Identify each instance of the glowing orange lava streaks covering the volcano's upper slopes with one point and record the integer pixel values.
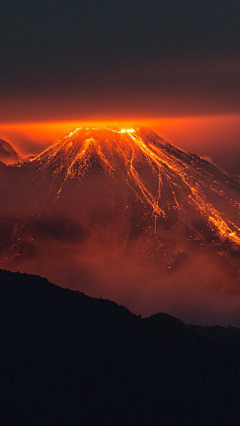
(162, 177)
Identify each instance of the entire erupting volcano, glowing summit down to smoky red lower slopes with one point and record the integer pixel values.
(138, 219)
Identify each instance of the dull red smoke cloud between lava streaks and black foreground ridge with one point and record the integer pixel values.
(107, 255)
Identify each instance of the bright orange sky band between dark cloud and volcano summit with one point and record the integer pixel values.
(215, 137)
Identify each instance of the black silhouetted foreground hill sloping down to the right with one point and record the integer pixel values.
(68, 359)
